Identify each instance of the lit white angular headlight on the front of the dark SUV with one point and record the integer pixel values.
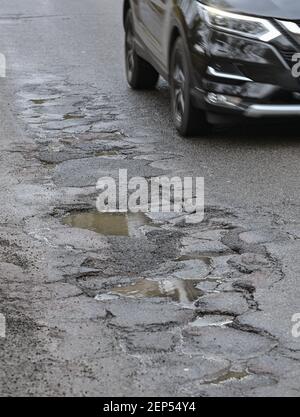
(248, 26)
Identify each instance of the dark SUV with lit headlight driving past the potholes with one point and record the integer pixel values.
(224, 59)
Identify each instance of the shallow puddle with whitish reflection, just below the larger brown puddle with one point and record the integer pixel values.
(183, 291)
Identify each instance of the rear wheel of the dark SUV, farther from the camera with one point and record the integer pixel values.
(140, 74)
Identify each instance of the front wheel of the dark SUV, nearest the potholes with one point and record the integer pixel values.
(189, 120)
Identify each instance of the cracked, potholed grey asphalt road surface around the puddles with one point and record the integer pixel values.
(86, 314)
